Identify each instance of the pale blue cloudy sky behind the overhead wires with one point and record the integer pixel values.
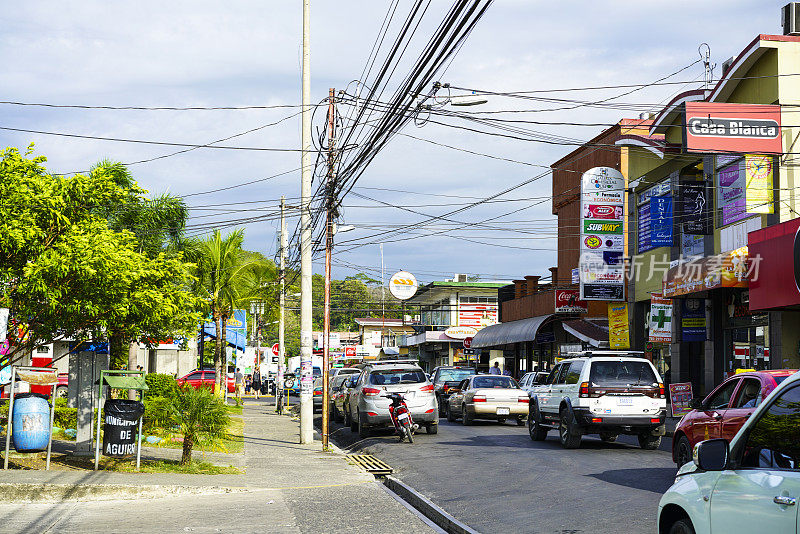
(247, 53)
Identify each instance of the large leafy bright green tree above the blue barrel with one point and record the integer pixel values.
(66, 274)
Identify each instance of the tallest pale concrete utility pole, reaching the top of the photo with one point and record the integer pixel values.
(306, 370)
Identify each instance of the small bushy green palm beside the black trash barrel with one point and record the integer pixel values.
(201, 416)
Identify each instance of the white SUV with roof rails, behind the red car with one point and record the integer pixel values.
(600, 392)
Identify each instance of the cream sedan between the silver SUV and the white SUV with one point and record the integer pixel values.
(487, 397)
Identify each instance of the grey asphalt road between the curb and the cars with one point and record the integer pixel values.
(495, 479)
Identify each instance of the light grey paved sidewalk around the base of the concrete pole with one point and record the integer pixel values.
(287, 487)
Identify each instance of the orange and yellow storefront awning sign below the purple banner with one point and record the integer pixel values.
(730, 269)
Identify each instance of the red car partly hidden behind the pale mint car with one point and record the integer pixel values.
(723, 412)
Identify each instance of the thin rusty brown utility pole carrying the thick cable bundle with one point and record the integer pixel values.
(329, 217)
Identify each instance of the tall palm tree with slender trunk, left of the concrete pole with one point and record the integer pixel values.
(225, 279)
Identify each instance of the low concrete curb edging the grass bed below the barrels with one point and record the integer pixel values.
(14, 493)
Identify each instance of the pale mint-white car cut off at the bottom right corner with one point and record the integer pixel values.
(749, 485)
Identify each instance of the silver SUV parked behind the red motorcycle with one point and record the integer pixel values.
(368, 408)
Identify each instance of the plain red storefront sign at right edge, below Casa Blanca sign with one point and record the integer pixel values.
(775, 283)
